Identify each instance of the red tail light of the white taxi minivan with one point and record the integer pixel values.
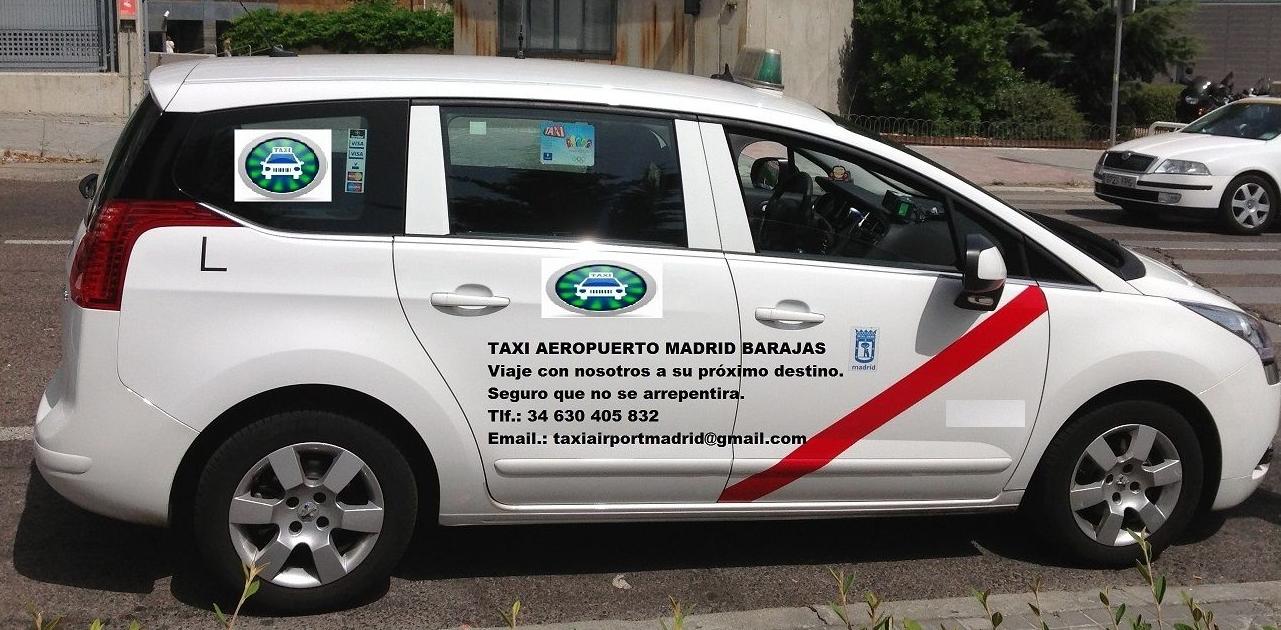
(103, 257)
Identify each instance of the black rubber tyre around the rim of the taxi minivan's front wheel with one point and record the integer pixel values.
(1050, 508)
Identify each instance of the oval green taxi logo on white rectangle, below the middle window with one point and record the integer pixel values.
(600, 289)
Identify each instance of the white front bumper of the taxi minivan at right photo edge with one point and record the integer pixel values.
(1247, 413)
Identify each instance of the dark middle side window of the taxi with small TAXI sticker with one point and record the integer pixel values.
(563, 175)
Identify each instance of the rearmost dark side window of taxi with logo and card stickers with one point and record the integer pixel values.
(358, 166)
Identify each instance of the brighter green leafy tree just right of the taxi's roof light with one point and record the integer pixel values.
(932, 60)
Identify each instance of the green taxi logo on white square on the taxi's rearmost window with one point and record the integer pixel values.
(282, 166)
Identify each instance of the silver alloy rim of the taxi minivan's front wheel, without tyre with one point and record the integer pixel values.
(1127, 480)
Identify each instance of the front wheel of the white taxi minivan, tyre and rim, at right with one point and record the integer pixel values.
(1125, 467)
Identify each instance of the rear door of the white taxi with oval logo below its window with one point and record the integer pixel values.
(564, 275)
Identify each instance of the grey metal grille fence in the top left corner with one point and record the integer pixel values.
(57, 35)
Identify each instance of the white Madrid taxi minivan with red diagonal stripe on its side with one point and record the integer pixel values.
(504, 291)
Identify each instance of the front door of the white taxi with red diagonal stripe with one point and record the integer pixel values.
(853, 340)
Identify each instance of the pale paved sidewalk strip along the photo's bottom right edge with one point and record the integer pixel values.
(1236, 606)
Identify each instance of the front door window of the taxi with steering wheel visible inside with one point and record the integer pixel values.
(805, 200)
